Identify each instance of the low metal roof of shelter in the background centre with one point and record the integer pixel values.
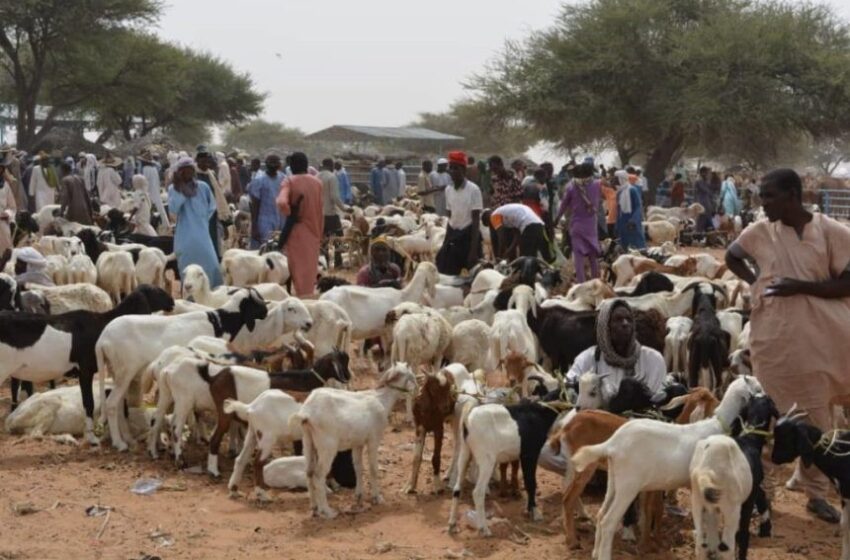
(386, 134)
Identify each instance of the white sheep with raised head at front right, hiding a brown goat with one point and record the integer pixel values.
(671, 447)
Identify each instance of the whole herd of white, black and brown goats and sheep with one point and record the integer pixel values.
(273, 372)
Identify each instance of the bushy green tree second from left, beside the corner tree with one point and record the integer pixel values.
(148, 86)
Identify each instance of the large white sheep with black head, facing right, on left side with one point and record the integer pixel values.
(126, 345)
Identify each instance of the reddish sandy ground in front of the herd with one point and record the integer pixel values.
(193, 517)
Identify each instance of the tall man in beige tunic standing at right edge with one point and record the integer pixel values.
(801, 311)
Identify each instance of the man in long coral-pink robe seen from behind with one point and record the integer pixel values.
(300, 199)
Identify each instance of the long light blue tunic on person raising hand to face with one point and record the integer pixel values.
(192, 242)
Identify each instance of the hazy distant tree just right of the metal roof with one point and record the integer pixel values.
(483, 132)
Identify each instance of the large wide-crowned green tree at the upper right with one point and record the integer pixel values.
(659, 76)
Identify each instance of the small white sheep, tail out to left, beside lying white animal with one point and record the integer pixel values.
(268, 426)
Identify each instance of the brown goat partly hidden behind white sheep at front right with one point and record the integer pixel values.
(592, 427)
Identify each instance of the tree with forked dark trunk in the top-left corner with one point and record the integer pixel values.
(36, 39)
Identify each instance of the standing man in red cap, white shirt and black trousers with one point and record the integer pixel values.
(462, 246)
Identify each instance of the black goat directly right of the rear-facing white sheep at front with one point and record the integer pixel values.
(758, 414)
